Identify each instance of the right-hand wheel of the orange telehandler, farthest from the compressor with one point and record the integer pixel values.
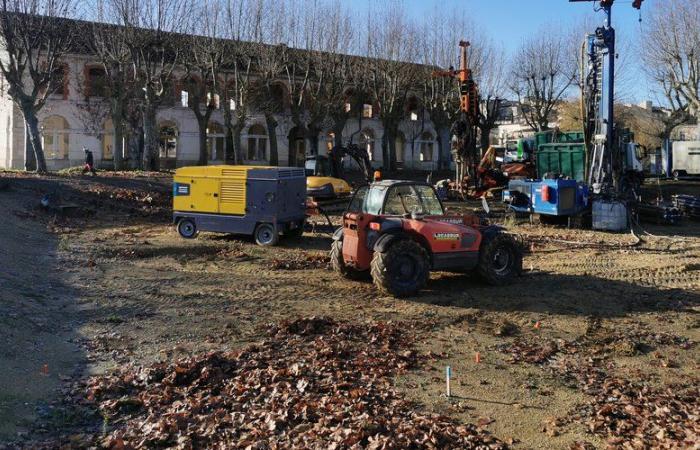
(500, 259)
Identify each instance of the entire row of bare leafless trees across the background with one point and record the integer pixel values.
(315, 60)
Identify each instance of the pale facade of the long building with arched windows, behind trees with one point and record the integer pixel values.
(70, 122)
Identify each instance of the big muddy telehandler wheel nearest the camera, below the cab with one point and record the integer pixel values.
(402, 270)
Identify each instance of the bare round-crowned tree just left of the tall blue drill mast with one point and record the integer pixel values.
(543, 69)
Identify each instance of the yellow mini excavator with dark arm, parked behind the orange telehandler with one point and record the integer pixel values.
(326, 183)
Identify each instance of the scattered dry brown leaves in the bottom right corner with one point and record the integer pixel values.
(629, 414)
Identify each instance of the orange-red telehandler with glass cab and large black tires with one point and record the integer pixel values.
(398, 231)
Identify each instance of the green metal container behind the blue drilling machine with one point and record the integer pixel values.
(568, 160)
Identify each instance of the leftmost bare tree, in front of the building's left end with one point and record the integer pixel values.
(34, 38)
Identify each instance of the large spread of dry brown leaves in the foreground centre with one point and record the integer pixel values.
(313, 384)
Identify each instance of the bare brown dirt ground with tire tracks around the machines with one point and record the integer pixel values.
(108, 281)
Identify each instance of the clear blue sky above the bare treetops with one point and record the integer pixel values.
(508, 22)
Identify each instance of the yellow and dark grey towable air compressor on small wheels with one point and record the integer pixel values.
(261, 201)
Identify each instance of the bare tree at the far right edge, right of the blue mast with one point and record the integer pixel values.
(671, 53)
